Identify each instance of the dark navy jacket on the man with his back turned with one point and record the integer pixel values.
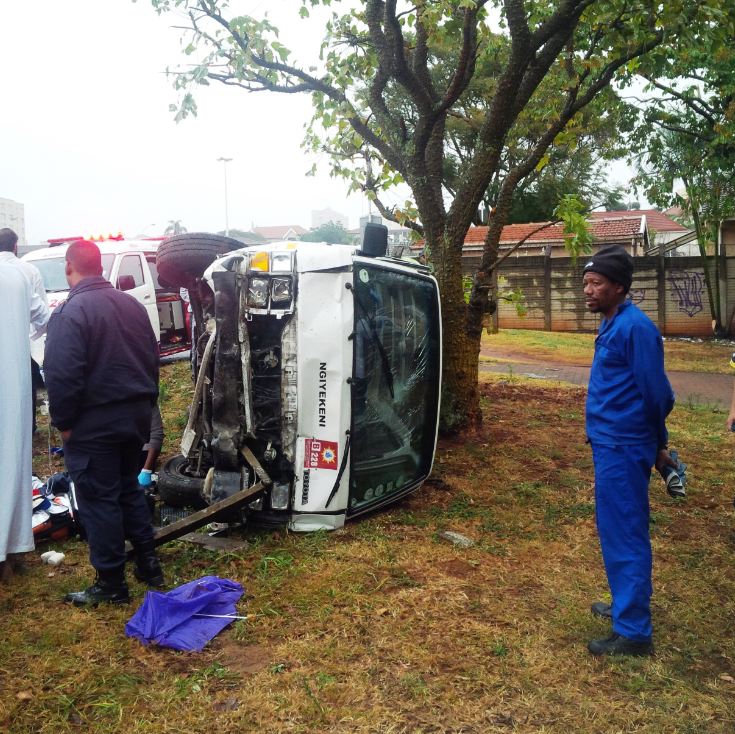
(100, 350)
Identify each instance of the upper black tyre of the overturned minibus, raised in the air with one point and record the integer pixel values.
(182, 258)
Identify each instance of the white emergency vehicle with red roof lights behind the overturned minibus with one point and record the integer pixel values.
(131, 266)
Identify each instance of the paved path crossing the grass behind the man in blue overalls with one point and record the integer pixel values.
(690, 387)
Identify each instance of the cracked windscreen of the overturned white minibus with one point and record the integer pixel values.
(395, 394)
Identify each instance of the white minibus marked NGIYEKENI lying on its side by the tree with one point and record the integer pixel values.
(317, 378)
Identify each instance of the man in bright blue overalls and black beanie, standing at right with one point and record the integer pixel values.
(628, 400)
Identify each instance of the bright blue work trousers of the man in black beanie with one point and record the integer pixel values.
(622, 512)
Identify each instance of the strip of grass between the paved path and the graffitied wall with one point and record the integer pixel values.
(567, 348)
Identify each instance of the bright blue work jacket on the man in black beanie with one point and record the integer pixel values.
(629, 394)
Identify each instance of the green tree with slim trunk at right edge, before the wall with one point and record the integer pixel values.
(685, 149)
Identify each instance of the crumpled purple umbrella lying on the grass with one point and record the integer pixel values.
(176, 618)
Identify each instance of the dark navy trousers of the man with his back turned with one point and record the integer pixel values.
(102, 458)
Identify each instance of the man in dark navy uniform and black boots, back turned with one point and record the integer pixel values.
(101, 370)
